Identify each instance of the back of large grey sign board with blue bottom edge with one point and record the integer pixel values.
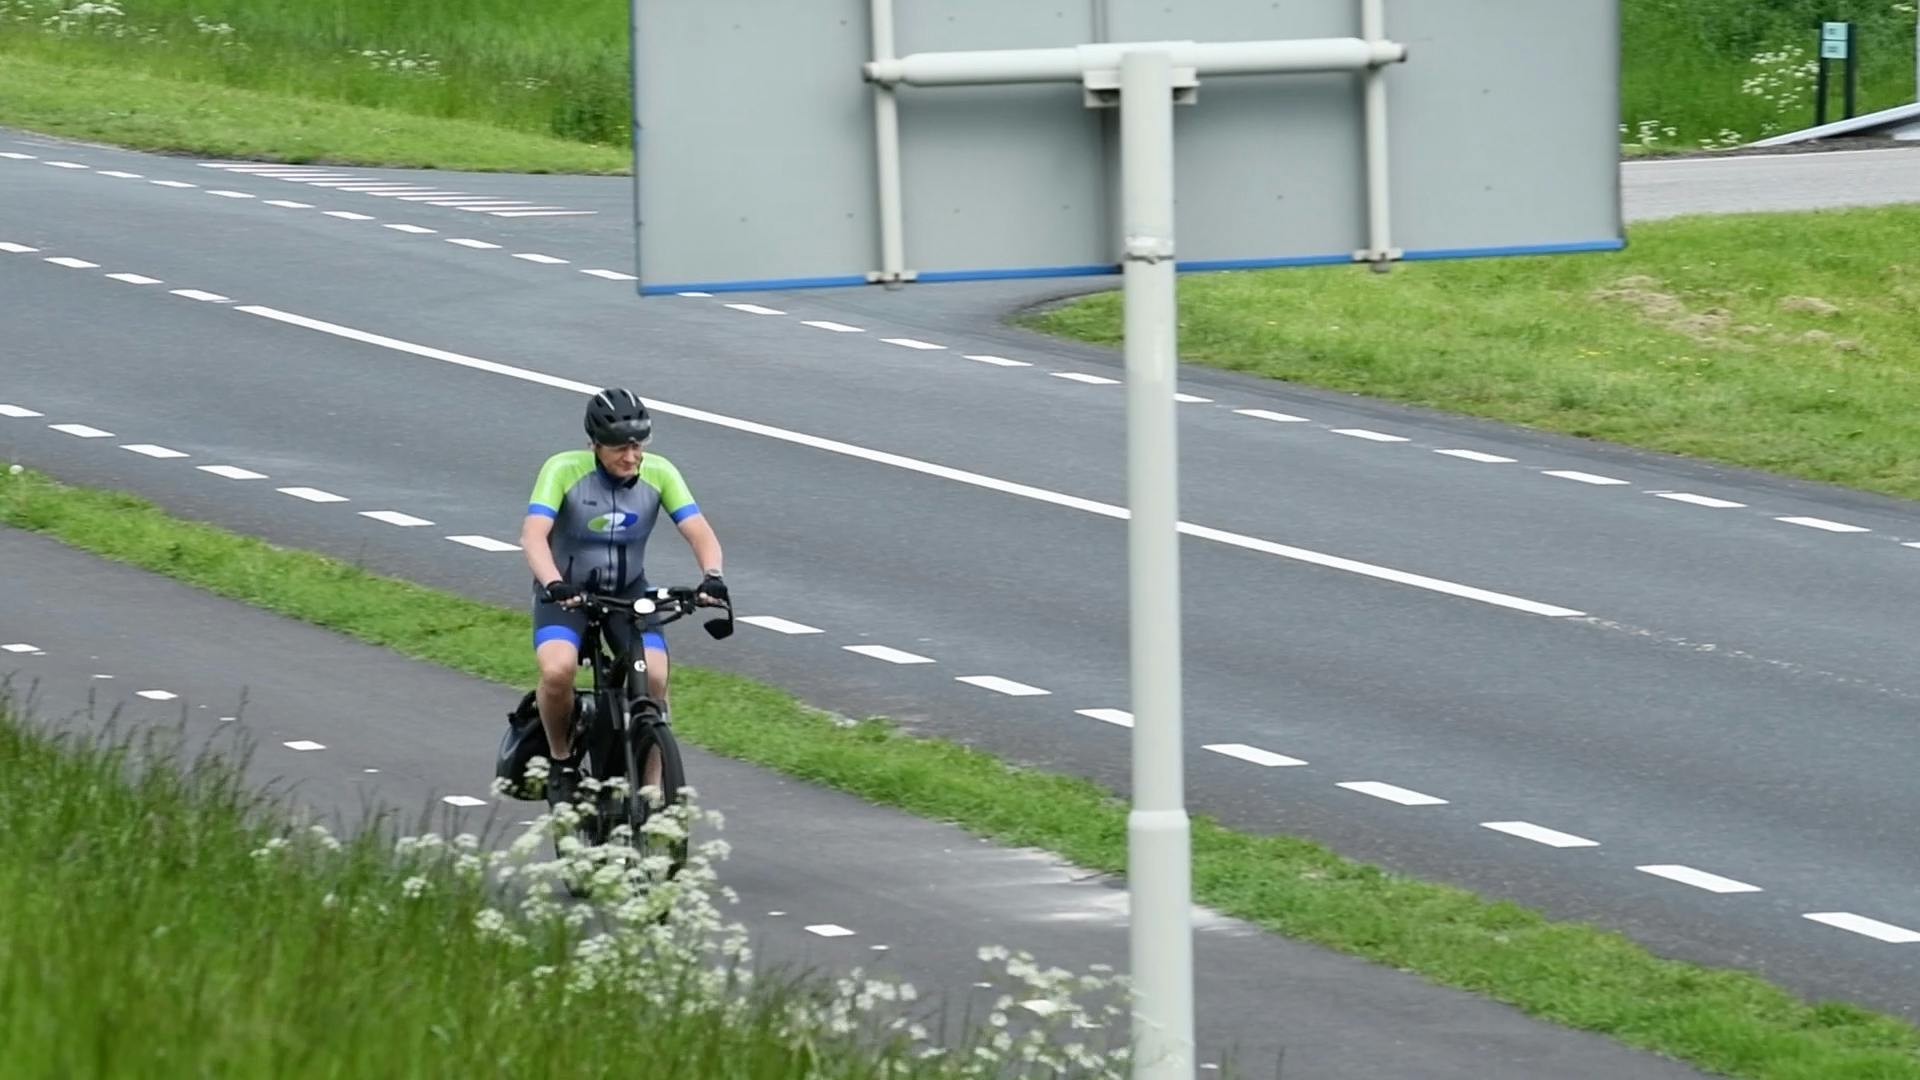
(756, 139)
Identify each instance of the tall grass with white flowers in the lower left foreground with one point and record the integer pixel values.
(164, 921)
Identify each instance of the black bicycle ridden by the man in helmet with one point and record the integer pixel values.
(619, 729)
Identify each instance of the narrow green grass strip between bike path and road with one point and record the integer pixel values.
(1577, 975)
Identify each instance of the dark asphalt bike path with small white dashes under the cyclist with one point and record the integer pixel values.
(350, 725)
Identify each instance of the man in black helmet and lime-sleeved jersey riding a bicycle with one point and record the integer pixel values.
(587, 531)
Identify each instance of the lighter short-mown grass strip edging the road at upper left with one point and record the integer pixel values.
(149, 112)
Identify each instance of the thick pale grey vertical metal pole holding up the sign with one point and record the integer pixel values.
(1161, 927)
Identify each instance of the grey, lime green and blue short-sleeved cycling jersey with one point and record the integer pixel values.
(602, 522)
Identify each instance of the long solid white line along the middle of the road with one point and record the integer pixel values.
(930, 468)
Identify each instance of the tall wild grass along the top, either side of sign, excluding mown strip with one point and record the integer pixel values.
(1696, 72)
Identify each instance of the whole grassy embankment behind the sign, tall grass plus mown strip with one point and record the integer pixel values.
(554, 78)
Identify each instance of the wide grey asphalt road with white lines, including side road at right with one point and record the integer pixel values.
(1620, 687)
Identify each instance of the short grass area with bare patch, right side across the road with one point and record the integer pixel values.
(1779, 341)
